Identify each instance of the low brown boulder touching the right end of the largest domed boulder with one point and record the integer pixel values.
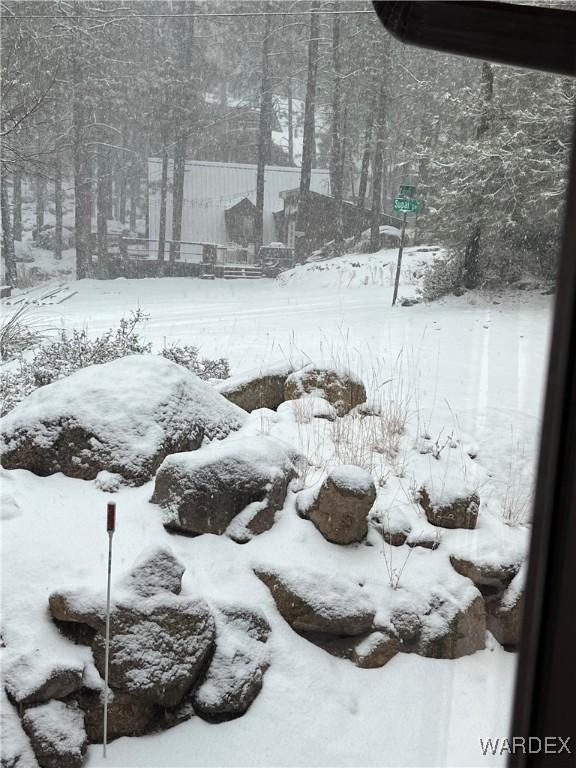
(257, 388)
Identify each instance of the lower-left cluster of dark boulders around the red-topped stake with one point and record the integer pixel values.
(171, 657)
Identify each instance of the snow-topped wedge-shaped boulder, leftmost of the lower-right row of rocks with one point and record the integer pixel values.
(314, 602)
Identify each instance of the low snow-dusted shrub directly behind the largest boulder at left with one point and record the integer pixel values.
(71, 351)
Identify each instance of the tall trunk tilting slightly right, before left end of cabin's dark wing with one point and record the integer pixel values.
(308, 149)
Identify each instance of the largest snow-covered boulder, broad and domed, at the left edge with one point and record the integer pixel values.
(125, 417)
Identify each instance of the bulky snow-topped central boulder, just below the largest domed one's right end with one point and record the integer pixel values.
(203, 491)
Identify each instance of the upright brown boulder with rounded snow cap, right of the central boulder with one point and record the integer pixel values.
(340, 510)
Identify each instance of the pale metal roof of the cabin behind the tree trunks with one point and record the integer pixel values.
(210, 188)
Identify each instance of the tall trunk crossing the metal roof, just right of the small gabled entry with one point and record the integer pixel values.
(264, 135)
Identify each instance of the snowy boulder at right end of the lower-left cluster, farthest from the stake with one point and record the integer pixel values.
(234, 677)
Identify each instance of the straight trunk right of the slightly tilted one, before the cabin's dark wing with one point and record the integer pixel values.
(337, 146)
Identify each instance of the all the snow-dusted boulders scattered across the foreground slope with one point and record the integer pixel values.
(173, 656)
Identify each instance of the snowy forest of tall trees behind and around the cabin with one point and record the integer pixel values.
(92, 89)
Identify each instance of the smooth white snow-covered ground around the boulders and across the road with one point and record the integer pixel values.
(471, 367)
